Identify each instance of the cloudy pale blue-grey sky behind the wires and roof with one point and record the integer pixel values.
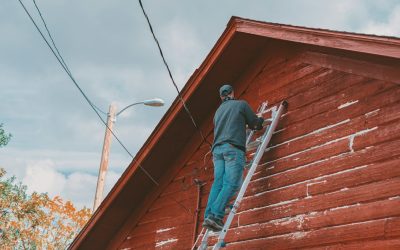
(57, 137)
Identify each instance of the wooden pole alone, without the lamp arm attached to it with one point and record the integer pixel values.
(104, 157)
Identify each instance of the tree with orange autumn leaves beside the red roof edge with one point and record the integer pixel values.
(35, 221)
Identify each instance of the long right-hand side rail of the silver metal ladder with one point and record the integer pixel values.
(257, 158)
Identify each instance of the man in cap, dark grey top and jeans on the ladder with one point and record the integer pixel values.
(229, 155)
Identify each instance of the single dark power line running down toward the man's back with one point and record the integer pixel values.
(171, 77)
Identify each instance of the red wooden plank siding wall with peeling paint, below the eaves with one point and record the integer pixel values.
(331, 176)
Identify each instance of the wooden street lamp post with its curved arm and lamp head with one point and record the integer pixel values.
(111, 118)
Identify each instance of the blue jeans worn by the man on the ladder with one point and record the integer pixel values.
(229, 162)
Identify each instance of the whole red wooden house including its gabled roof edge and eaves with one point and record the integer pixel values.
(331, 176)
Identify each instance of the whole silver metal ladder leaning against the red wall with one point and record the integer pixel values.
(261, 144)
